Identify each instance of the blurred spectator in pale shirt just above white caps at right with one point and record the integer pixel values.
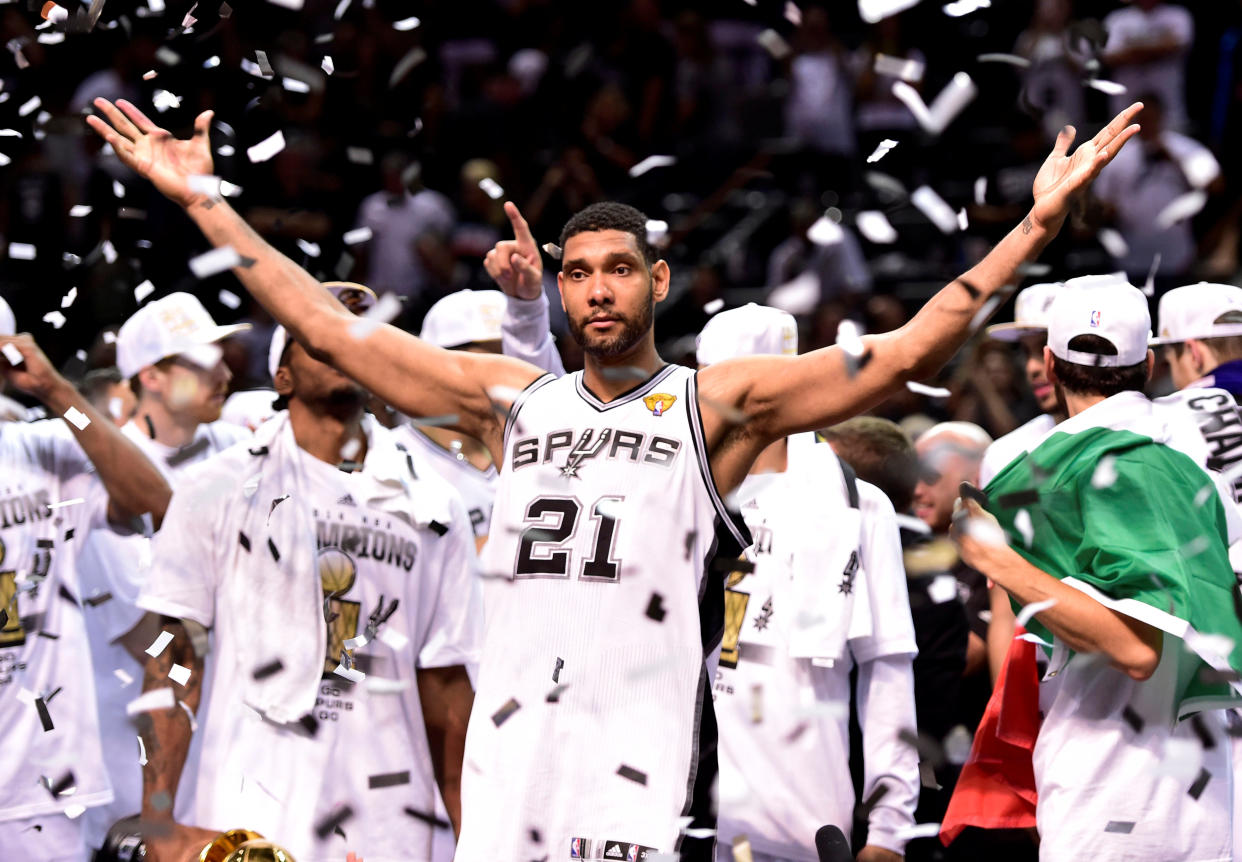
(1158, 168)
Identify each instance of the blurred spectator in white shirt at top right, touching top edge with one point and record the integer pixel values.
(1147, 48)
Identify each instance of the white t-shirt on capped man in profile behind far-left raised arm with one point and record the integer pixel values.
(111, 569)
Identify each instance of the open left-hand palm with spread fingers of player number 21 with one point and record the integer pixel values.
(155, 153)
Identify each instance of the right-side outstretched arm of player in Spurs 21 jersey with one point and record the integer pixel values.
(783, 396)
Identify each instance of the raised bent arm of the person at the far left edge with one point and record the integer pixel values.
(134, 484)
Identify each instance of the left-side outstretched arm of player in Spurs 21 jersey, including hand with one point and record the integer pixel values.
(409, 374)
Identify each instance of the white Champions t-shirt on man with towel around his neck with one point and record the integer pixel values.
(371, 750)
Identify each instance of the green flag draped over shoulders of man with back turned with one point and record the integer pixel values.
(1143, 527)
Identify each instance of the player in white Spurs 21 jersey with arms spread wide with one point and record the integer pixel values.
(593, 732)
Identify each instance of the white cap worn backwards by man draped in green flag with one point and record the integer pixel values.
(1108, 307)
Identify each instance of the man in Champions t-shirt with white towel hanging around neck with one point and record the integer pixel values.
(260, 543)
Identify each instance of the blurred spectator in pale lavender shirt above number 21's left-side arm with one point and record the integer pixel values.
(408, 254)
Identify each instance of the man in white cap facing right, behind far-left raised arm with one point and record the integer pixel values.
(168, 355)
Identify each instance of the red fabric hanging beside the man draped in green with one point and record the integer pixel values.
(997, 787)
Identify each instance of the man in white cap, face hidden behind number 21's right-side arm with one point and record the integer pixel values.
(783, 689)
